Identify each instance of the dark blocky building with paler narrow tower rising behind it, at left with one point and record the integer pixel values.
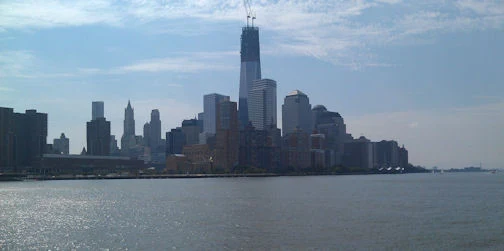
(98, 137)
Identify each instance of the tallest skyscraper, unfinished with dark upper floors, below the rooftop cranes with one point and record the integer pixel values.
(250, 68)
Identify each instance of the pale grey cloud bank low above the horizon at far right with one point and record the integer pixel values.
(446, 138)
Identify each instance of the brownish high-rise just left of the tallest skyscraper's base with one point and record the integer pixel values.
(227, 137)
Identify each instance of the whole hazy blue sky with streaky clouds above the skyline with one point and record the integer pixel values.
(428, 74)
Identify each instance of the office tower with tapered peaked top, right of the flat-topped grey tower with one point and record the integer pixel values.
(296, 113)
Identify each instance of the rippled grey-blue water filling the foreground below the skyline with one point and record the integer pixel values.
(403, 212)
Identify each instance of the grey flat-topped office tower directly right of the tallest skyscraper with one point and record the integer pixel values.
(262, 104)
